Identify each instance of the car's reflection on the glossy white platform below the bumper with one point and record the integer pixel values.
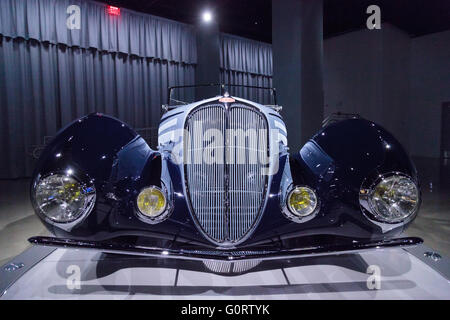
(118, 274)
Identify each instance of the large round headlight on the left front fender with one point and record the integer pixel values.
(62, 198)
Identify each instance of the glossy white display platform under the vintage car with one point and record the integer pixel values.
(49, 273)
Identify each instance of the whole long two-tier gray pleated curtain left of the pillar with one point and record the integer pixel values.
(50, 75)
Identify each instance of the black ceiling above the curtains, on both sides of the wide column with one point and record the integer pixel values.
(252, 18)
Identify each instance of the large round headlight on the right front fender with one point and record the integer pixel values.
(394, 199)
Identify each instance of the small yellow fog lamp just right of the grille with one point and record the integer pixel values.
(302, 201)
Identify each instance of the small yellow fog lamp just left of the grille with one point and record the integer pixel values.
(151, 202)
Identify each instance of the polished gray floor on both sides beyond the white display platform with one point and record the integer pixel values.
(18, 222)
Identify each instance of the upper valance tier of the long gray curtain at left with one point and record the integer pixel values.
(131, 33)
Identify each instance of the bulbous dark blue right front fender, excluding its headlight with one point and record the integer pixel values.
(343, 156)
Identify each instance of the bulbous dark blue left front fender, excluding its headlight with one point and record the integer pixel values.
(105, 152)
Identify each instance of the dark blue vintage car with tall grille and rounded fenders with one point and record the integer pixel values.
(222, 185)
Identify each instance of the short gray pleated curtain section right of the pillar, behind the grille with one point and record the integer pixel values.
(246, 62)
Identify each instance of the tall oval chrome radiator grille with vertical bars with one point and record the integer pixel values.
(224, 179)
